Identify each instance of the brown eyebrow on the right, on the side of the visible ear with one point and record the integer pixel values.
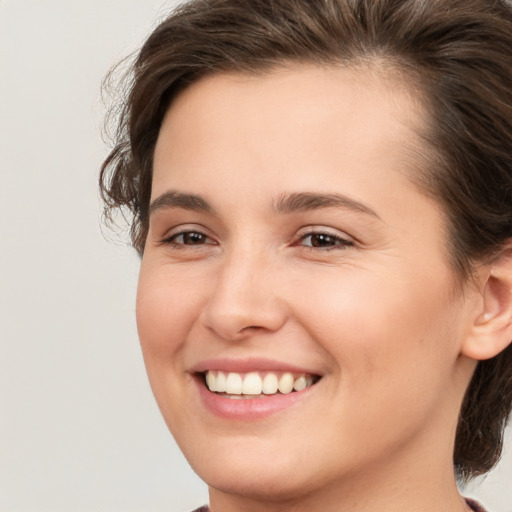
(306, 201)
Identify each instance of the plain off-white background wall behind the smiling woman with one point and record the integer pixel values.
(79, 430)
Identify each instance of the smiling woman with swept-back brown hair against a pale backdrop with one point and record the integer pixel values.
(321, 195)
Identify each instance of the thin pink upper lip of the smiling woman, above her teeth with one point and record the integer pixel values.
(249, 365)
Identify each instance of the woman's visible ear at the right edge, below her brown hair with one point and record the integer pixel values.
(491, 328)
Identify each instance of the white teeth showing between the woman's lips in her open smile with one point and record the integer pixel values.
(256, 384)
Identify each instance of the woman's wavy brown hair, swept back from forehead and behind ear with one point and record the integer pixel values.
(459, 51)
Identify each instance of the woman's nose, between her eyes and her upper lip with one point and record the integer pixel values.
(245, 298)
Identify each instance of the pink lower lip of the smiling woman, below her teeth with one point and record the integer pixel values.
(251, 408)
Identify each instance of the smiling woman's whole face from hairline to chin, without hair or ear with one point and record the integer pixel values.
(288, 243)
